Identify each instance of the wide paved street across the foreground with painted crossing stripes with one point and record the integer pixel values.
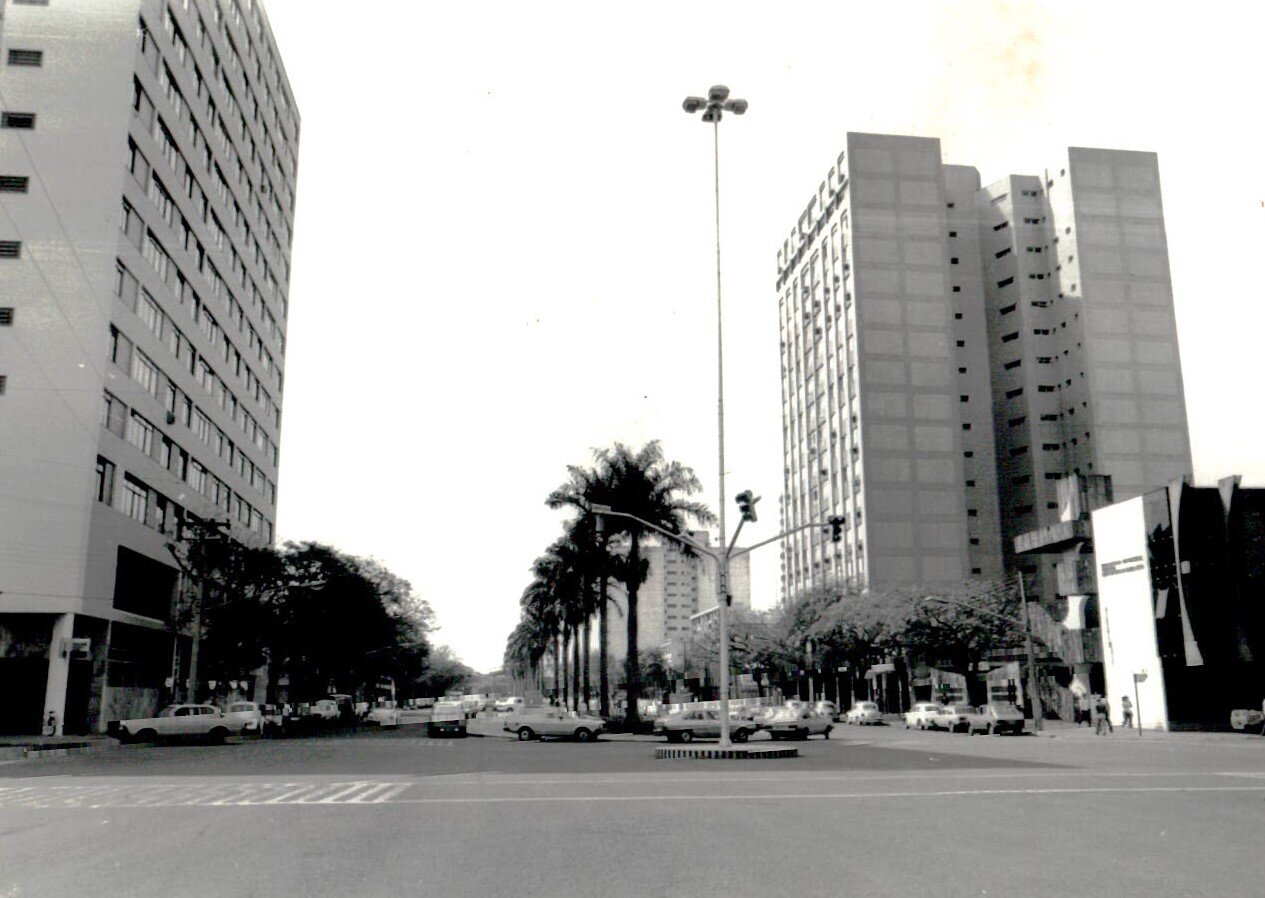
(872, 811)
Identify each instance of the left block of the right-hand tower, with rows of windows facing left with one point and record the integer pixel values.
(885, 388)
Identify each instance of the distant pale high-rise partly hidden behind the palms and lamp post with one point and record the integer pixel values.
(676, 589)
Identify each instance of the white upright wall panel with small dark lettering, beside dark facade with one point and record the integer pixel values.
(1128, 614)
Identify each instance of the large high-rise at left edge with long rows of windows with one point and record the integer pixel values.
(147, 165)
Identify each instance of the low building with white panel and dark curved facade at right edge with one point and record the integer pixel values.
(1181, 584)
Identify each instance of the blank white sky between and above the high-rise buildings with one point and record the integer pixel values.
(504, 243)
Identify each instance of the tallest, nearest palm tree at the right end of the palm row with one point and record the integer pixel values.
(646, 485)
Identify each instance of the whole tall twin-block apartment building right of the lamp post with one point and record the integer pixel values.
(951, 352)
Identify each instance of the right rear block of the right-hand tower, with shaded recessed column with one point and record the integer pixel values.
(1085, 352)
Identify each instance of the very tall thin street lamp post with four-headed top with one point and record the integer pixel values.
(714, 108)
